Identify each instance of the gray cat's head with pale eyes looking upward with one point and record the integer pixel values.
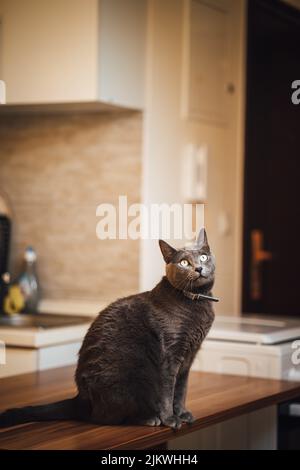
(190, 268)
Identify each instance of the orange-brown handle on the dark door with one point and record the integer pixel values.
(258, 256)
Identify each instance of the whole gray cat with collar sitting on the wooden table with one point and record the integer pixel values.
(135, 359)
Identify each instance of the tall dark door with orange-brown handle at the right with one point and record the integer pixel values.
(271, 265)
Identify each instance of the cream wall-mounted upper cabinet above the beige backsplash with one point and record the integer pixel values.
(57, 52)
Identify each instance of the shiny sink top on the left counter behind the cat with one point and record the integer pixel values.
(42, 320)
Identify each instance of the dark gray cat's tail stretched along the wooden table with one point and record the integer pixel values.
(72, 408)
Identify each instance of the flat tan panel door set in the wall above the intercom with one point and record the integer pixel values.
(208, 38)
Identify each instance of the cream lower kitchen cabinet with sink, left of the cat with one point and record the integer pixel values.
(39, 342)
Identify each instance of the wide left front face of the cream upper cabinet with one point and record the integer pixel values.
(49, 50)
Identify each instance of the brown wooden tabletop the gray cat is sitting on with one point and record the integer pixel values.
(212, 398)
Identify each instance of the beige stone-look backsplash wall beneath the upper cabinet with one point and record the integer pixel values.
(56, 169)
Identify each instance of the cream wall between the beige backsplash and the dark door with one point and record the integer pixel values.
(166, 133)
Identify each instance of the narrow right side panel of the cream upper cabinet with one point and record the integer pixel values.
(122, 31)
